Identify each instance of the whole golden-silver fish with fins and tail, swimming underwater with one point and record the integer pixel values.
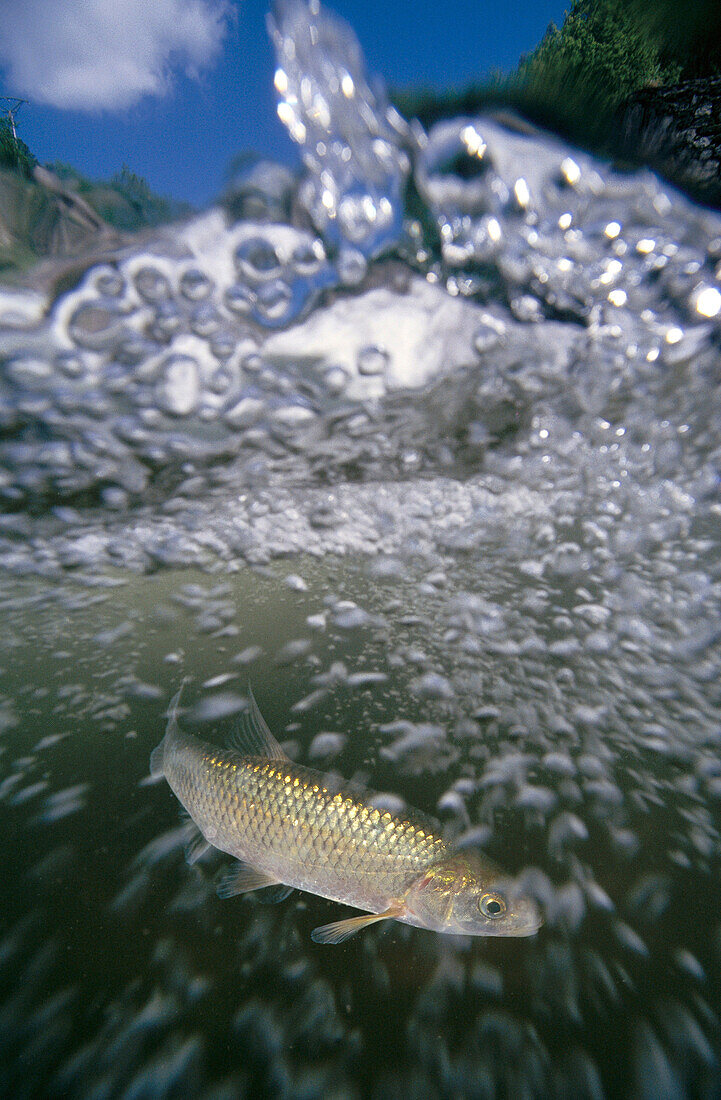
(293, 828)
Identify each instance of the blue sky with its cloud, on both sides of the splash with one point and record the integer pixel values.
(174, 89)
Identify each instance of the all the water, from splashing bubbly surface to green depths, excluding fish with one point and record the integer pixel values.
(438, 468)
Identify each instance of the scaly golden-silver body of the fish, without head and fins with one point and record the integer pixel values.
(289, 823)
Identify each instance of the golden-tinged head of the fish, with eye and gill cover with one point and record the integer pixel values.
(467, 895)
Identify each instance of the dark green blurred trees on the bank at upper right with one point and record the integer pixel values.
(580, 74)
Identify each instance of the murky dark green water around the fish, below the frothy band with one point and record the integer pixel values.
(125, 975)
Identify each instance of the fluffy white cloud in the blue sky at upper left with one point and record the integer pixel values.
(106, 54)
